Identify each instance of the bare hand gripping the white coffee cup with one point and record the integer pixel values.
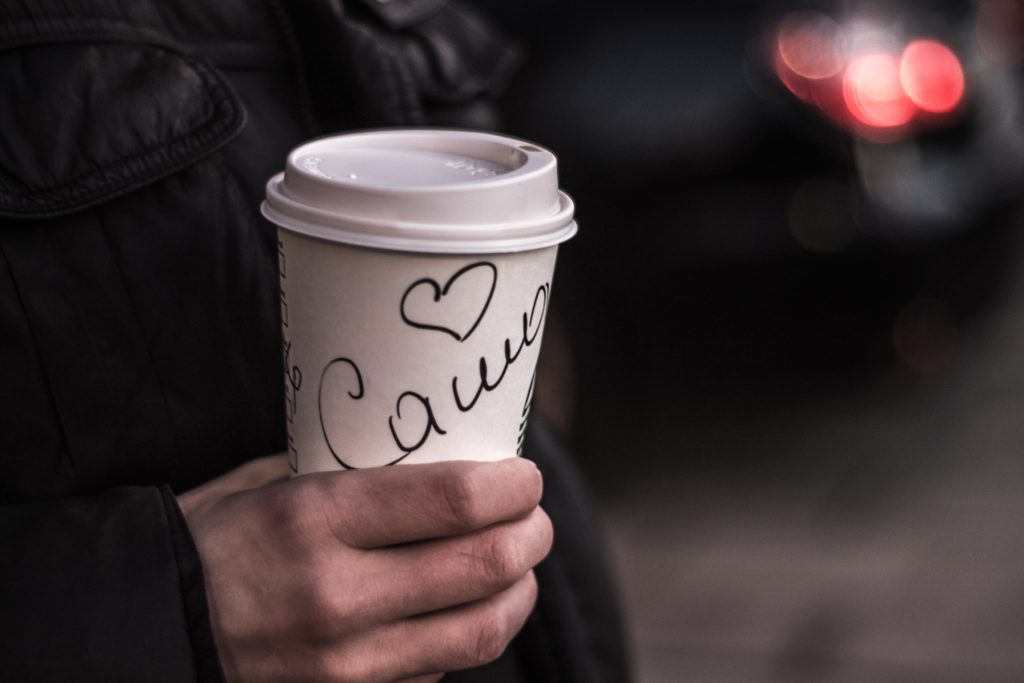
(377, 575)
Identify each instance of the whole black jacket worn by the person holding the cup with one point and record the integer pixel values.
(141, 346)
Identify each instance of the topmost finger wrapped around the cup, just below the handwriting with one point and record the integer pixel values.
(388, 506)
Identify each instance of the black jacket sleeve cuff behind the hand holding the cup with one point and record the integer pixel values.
(107, 588)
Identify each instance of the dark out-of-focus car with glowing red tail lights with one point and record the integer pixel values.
(777, 194)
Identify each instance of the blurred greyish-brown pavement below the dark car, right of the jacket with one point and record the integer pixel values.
(868, 532)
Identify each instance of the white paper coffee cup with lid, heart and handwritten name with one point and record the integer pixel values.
(416, 271)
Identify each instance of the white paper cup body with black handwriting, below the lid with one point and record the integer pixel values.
(402, 358)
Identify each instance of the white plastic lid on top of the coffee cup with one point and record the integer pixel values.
(423, 191)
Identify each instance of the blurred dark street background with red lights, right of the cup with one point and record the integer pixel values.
(788, 345)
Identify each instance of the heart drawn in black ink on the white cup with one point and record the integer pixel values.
(455, 308)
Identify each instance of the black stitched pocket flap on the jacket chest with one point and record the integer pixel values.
(83, 122)
